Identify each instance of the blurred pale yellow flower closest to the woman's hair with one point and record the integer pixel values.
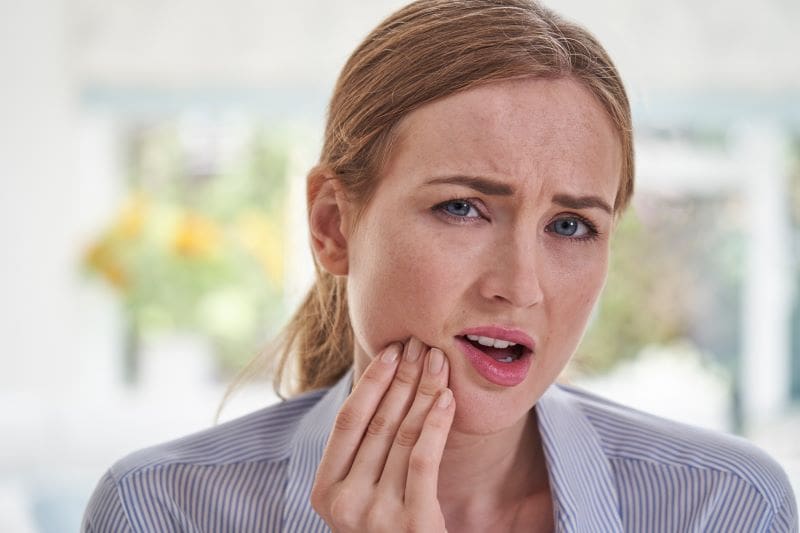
(262, 238)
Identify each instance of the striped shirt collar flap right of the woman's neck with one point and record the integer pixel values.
(581, 479)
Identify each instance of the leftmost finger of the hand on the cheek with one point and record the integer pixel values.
(355, 414)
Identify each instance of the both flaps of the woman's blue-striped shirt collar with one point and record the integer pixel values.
(581, 480)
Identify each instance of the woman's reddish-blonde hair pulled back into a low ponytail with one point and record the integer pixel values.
(426, 51)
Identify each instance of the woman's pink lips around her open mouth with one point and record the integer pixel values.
(503, 374)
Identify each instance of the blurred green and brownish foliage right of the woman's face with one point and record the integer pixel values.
(673, 277)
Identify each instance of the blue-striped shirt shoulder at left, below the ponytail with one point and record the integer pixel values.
(242, 462)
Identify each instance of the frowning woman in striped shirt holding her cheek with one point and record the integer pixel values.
(476, 158)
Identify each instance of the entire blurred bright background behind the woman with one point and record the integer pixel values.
(152, 226)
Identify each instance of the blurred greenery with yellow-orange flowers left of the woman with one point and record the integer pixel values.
(199, 244)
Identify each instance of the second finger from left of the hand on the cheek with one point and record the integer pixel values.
(371, 456)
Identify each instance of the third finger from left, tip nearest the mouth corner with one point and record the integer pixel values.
(433, 380)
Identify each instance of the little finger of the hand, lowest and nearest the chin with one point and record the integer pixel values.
(422, 482)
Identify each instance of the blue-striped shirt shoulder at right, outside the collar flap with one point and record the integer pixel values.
(653, 457)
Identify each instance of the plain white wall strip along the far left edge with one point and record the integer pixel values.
(38, 202)
